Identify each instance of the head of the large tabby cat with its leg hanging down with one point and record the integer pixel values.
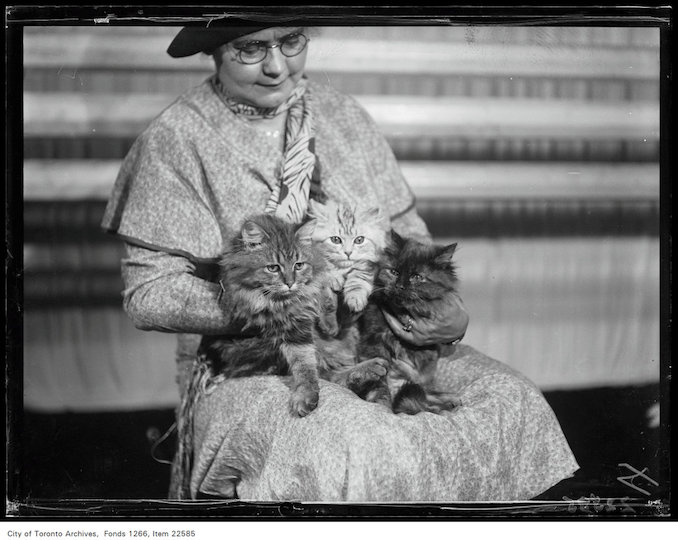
(273, 260)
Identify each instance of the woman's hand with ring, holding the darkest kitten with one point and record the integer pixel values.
(447, 323)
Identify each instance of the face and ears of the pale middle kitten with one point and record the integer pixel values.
(347, 234)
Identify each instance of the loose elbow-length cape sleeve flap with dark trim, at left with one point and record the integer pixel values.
(160, 200)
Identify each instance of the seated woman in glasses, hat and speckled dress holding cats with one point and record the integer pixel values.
(258, 136)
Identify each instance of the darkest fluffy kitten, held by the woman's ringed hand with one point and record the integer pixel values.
(411, 279)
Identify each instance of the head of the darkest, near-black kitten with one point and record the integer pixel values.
(413, 274)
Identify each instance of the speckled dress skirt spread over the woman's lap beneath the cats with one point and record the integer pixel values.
(503, 443)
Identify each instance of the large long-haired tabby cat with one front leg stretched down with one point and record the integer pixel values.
(271, 279)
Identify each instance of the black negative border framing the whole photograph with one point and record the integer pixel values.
(17, 17)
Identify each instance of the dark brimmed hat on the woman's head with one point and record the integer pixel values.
(194, 39)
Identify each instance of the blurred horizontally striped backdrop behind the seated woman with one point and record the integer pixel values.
(535, 148)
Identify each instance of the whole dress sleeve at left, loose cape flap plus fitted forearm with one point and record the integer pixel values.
(161, 209)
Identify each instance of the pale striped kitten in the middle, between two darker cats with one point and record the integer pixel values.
(352, 239)
